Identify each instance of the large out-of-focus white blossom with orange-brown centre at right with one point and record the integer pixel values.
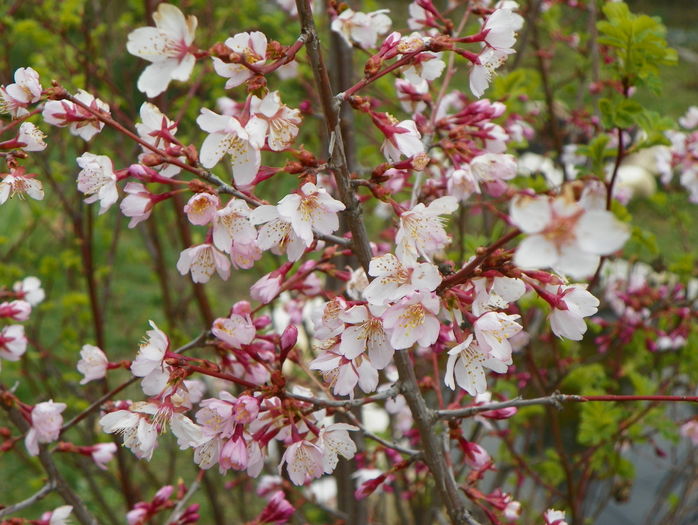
(564, 235)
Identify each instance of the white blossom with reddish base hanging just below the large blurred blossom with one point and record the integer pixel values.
(573, 304)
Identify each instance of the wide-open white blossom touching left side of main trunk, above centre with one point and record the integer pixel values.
(312, 208)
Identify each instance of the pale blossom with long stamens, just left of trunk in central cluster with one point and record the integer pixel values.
(365, 334)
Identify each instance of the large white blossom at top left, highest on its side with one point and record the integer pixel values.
(167, 46)
